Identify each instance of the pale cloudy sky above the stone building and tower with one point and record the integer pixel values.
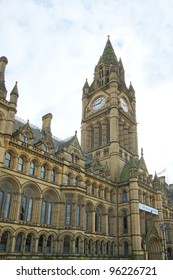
(52, 46)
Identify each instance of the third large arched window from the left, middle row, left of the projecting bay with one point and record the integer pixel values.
(46, 211)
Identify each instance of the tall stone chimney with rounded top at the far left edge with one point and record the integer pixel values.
(3, 63)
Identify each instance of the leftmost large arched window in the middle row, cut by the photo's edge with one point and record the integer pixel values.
(5, 199)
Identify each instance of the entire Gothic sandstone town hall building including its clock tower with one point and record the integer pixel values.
(87, 199)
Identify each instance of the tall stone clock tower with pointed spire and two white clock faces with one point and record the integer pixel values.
(109, 127)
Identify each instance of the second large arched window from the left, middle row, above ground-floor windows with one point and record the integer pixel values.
(26, 206)
